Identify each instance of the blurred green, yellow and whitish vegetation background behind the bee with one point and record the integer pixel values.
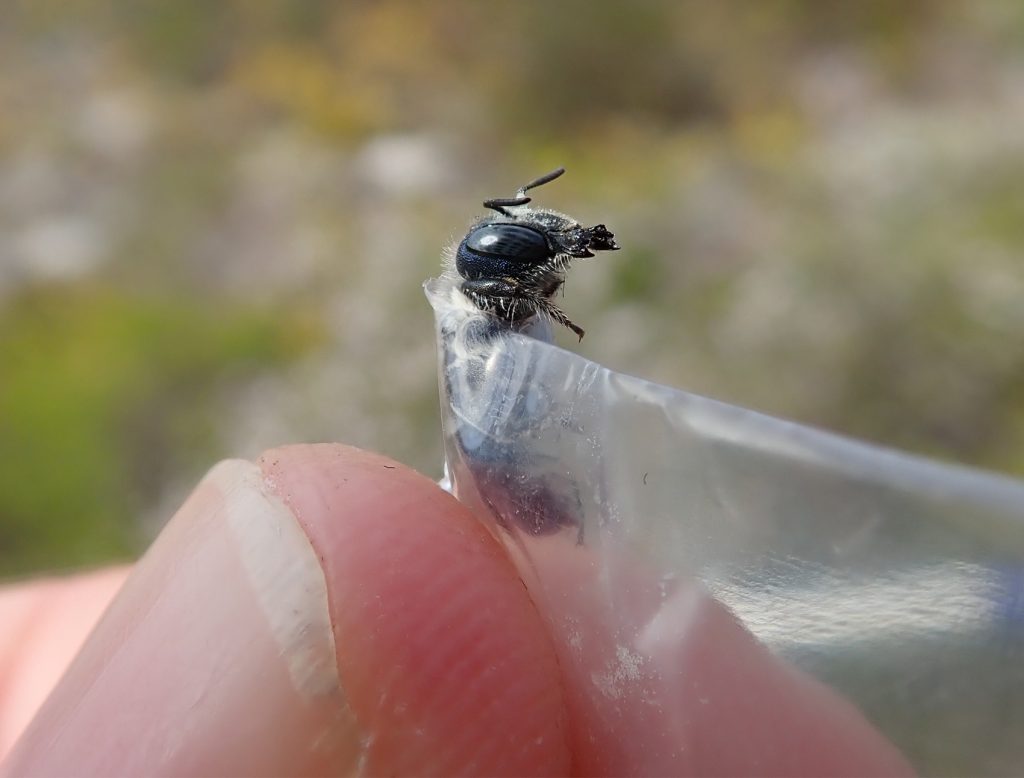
(216, 220)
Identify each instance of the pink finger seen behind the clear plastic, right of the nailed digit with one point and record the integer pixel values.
(662, 680)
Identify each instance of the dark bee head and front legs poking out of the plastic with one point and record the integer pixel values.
(514, 264)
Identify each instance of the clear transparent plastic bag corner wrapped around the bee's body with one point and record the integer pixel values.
(895, 581)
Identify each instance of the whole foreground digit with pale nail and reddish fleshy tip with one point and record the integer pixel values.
(331, 614)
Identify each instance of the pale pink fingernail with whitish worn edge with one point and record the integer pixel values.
(218, 657)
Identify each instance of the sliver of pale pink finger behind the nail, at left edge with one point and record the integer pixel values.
(42, 626)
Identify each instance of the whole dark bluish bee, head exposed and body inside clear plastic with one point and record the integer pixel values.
(504, 444)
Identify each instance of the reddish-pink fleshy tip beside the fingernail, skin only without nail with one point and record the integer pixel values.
(441, 652)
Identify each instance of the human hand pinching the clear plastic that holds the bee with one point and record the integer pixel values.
(326, 611)
